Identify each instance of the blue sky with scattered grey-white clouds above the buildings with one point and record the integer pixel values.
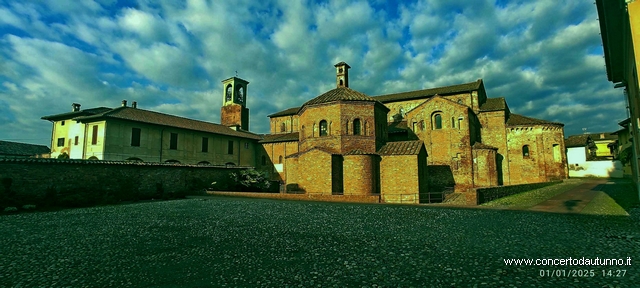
(545, 57)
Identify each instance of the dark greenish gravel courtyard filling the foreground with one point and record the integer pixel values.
(239, 242)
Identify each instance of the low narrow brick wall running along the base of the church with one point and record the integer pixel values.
(307, 197)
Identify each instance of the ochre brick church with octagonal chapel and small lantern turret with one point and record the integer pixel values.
(402, 145)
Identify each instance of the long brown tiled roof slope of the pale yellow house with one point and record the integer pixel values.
(151, 117)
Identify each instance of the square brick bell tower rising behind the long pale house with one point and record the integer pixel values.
(234, 112)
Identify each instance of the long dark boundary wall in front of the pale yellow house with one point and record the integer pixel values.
(31, 179)
